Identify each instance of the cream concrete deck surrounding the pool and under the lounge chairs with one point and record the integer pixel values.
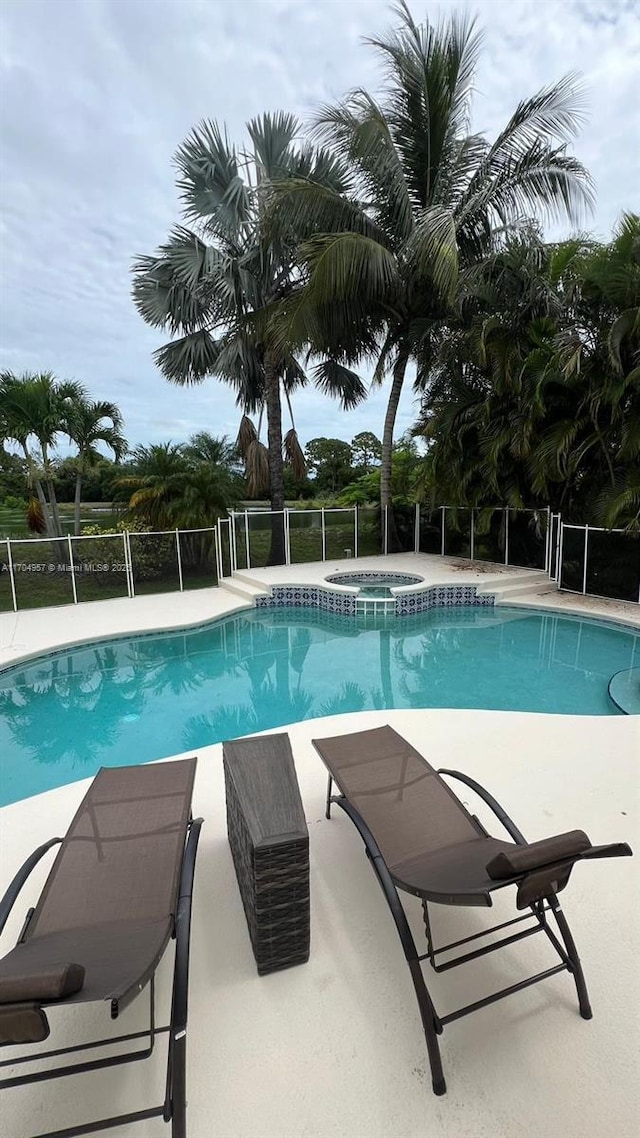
(334, 1048)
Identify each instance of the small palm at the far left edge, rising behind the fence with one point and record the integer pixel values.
(36, 408)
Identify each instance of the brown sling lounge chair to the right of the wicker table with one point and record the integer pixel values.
(422, 839)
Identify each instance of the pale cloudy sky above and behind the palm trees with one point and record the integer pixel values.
(96, 96)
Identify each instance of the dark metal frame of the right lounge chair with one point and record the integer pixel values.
(433, 1024)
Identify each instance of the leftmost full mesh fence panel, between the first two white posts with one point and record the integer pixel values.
(43, 573)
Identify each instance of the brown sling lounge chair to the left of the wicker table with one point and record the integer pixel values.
(119, 889)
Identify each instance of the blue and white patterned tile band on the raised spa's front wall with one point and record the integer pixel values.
(298, 597)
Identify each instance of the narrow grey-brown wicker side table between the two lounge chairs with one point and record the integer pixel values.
(269, 844)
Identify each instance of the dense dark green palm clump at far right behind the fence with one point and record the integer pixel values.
(536, 398)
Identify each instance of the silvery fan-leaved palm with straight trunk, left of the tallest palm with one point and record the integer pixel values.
(212, 286)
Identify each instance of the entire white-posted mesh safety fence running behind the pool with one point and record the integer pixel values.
(65, 571)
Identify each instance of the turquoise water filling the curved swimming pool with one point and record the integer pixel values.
(149, 697)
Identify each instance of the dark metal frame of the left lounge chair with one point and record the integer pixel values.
(175, 1107)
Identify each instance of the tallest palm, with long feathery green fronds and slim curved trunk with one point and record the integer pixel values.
(381, 263)
